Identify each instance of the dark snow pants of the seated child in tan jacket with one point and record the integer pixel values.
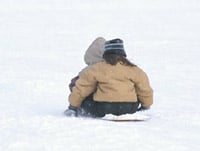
(100, 109)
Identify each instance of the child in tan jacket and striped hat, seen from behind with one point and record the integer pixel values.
(113, 86)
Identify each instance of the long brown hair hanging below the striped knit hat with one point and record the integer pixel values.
(113, 59)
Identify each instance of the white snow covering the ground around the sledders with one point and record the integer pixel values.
(41, 48)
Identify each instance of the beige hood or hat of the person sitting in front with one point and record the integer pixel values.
(94, 53)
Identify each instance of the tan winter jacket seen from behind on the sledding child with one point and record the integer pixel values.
(110, 83)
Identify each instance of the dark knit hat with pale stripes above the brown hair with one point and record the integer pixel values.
(114, 46)
